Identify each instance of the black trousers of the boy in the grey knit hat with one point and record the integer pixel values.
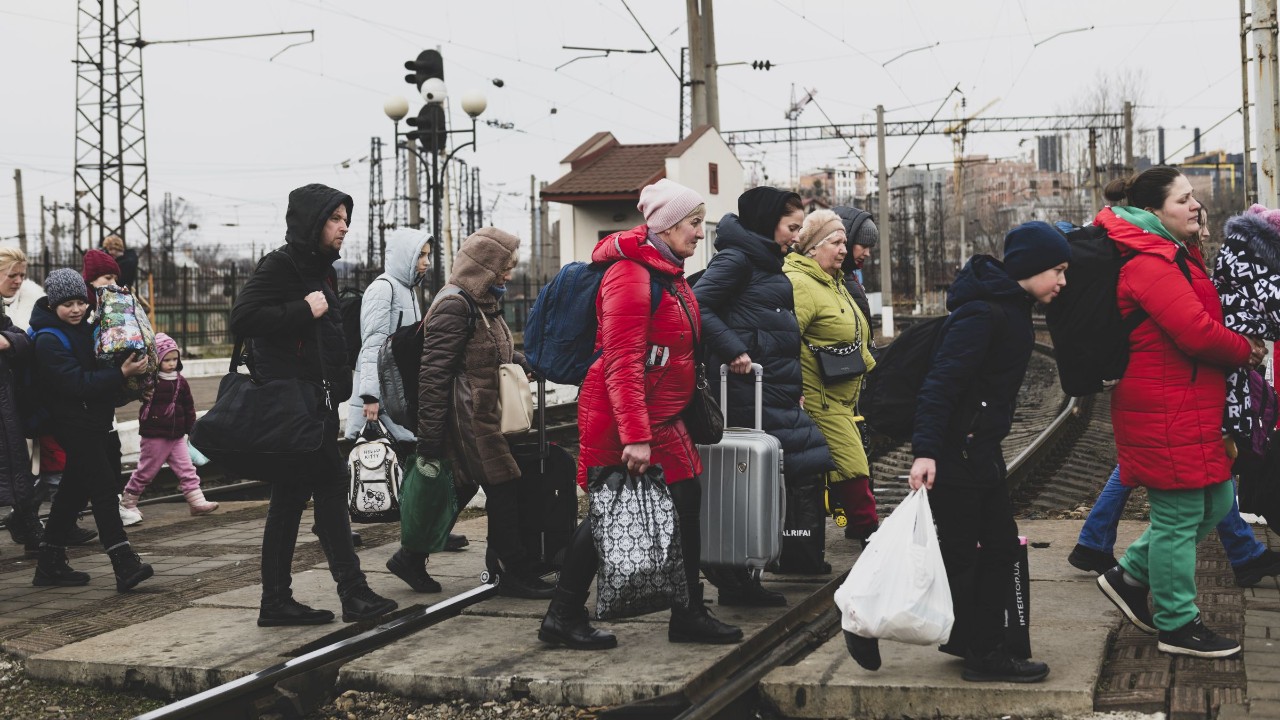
(90, 476)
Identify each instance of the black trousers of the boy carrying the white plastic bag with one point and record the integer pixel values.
(981, 582)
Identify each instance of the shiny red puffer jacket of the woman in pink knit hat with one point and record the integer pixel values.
(624, 402)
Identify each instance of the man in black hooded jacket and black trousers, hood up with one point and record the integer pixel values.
(289, 313)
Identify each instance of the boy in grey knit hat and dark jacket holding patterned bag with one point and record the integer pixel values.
(80, 398)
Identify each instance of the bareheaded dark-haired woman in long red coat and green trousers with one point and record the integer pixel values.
(1168, 408)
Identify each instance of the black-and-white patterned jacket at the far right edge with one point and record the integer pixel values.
(1247, 275)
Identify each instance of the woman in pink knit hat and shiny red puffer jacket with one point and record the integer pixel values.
(630, 403)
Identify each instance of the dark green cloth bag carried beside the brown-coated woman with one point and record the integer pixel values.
(428, 505)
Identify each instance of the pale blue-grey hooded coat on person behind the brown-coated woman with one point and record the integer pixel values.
(388, 304)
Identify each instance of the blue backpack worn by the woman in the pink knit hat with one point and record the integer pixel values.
(560, 332)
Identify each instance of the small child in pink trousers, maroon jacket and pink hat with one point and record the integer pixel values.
(164, 422)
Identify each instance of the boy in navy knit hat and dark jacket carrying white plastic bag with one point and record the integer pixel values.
(964, 412)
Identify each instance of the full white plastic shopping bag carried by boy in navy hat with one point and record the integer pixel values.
(898, 590)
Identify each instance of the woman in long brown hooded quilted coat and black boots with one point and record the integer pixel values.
(459, 417)
